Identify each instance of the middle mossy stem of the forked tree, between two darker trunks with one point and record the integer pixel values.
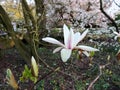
(32, 27)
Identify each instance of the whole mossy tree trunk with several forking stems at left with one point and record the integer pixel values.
(35, 26)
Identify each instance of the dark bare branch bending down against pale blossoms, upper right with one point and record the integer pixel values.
(111, 19)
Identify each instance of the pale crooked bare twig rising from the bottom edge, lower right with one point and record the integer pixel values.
(100, 69)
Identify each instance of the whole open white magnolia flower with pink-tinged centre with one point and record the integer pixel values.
(71, 40)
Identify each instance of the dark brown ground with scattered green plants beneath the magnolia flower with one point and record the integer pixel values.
(73, 75)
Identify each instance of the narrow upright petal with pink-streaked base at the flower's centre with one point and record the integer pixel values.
(70, 39)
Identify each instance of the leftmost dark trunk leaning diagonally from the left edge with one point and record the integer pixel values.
(21, 47)
